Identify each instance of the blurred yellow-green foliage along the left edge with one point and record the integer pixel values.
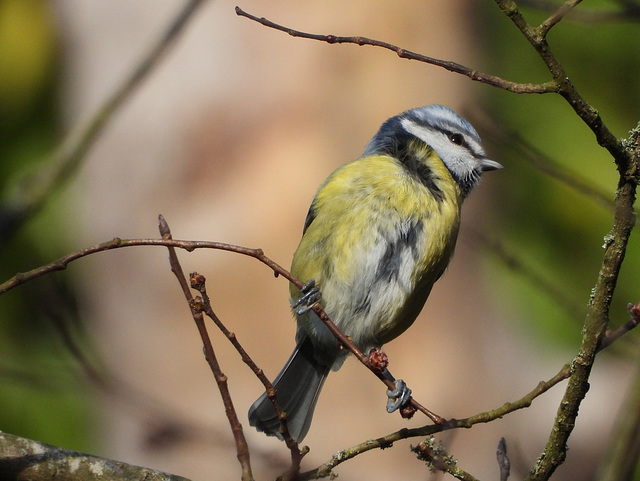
(41, 396)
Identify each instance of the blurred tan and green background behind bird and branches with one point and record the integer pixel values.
(229, 138)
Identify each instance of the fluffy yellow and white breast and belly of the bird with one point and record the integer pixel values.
(378, 241)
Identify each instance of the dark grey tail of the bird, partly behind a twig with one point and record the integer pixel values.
(297, 388)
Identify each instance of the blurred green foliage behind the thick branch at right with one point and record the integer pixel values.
(551, 228)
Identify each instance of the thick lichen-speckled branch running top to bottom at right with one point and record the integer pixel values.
(616, 241)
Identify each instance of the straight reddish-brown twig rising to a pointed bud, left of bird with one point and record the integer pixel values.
(196, 305)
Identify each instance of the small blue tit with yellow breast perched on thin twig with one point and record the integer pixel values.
(380, 232)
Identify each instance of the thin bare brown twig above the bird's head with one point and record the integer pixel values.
(495, 81)
